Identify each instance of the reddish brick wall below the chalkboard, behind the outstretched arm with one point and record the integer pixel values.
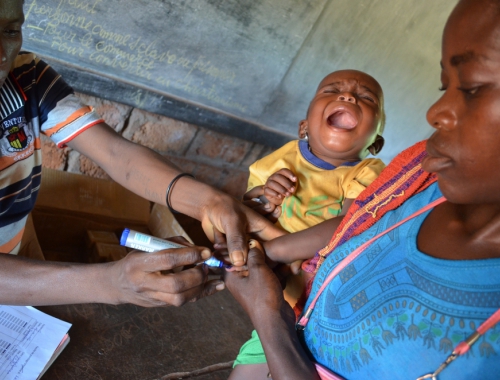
(217, 159)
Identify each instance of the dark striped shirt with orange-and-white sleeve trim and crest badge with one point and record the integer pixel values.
(33, 99)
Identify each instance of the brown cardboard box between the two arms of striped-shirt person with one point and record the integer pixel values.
(70, 204)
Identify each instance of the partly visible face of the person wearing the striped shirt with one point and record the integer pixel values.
(11, 20)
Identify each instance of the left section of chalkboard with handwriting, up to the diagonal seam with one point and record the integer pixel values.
(223, 56)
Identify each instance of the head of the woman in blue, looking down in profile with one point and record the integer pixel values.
(464, 150)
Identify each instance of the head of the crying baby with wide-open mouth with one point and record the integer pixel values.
(344, 116)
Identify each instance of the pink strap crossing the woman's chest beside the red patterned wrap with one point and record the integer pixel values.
(354, 254)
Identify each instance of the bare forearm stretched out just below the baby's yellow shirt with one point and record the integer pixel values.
(301, 245)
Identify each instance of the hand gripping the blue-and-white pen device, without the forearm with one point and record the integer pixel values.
(138, 277)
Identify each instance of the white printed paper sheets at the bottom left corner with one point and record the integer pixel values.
(28, 338)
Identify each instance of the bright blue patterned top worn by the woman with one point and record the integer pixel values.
(396, 313)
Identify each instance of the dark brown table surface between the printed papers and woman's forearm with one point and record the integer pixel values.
(130, 342)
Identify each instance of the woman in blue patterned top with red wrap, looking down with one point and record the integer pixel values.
(415, 294)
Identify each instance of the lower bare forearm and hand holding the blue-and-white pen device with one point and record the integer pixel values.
(135, 279)
